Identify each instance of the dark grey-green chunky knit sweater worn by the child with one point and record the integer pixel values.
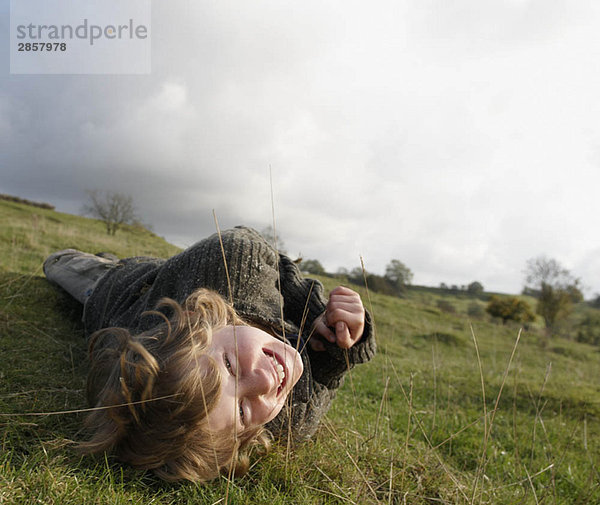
(255, 271)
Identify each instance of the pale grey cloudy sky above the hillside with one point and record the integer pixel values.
(459, 136)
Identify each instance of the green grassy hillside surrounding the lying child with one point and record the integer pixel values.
(411, 427)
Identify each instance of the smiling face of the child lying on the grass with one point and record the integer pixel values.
(255, 385)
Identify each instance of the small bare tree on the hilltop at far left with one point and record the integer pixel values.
(114, 209)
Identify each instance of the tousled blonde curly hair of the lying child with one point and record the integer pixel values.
(153, 392)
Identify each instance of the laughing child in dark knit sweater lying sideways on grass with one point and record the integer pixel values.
(193, 382)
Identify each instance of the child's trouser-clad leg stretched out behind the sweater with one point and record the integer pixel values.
(76, 272)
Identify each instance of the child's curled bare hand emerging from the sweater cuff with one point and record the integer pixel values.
(342, 322)
